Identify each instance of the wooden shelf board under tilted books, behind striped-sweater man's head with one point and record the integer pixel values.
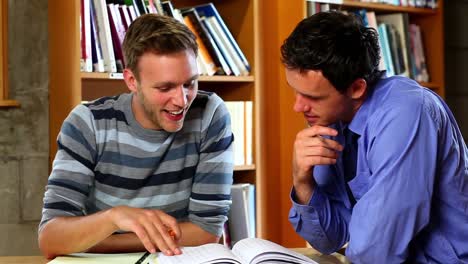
(203, 78)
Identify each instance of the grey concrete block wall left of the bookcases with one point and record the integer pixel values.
(24, 131)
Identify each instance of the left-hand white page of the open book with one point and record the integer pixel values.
(209, 253)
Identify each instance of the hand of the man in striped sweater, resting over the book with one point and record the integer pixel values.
(154, 228)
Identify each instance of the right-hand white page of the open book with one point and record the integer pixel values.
(256, 250)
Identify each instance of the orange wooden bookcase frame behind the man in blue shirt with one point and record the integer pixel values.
(277, 22)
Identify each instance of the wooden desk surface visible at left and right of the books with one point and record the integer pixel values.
(335, 258)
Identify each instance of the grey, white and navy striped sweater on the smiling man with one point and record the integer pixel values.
(105, 159)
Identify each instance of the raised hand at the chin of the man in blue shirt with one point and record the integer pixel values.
(311, 149)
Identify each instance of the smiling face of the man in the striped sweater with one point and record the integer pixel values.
(167, 87)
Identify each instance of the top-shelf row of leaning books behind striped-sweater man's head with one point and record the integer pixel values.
(103, 24)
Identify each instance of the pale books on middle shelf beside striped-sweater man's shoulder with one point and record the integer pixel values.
(241, 123)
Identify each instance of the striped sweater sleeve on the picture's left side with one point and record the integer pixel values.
(72, 170)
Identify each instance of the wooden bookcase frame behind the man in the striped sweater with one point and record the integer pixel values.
(69, 86)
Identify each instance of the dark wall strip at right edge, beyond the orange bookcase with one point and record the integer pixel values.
(456, 60)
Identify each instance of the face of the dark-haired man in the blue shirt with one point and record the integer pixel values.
(318, 99)
